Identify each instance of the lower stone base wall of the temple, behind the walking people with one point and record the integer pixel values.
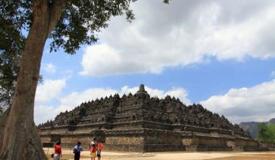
(151, 140)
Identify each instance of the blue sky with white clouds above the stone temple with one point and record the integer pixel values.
(218, 53)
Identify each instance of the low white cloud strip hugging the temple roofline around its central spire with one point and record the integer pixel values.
(46, 112)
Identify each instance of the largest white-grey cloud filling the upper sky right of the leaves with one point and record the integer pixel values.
(182, 33)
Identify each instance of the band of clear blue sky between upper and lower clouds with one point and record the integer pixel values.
(201, 80)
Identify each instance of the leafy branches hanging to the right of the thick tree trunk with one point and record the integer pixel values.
(82, 19)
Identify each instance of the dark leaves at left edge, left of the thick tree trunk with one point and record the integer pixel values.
(11, 45)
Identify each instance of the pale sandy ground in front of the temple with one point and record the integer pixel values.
(68, 155)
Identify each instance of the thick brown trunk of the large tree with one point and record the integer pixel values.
(19, 139)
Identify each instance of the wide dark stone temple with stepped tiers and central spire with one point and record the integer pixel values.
(142, 123)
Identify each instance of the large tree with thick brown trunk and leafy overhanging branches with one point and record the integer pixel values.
(68, 24)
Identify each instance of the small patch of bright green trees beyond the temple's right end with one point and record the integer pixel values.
(266, 133)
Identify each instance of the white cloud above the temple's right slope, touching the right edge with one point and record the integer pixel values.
(256, 103)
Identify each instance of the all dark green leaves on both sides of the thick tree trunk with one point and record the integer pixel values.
(78, 25)
